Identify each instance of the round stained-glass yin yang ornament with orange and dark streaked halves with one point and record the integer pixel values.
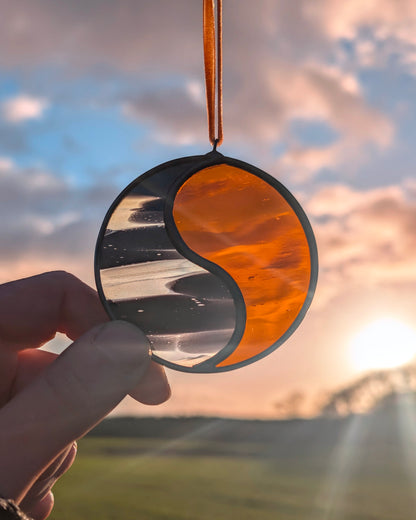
(212, 258)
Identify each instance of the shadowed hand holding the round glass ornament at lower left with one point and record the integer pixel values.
(47, 402)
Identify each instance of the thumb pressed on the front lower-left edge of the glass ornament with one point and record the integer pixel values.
(69, 397)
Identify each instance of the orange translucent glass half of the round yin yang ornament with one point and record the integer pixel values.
(240, 222)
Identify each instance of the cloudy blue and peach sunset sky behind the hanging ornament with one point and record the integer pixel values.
(320, 94)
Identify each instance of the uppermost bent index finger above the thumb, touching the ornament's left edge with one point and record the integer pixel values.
(33, 309)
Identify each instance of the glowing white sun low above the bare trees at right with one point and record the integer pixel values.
(385, 343)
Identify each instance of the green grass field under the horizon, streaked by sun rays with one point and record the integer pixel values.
(355, 469)
